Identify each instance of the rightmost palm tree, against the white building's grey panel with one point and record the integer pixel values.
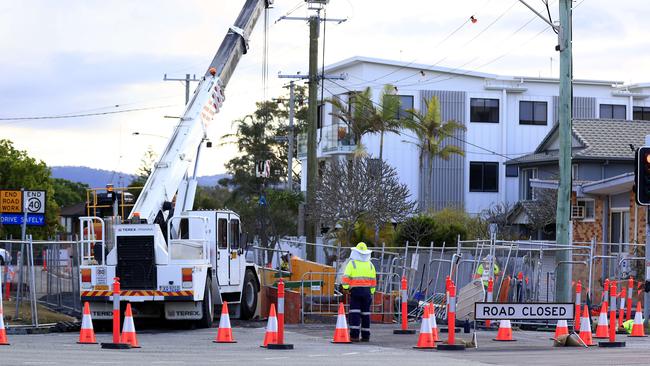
(431, 132)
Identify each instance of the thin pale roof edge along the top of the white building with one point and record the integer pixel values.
(337, 66)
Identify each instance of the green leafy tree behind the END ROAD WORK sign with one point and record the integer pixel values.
(19, 170)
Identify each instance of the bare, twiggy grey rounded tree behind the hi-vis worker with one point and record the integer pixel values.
(350, 191)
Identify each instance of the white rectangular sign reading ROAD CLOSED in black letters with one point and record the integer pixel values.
(523, 311)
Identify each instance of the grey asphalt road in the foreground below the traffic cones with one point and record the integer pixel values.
(312, 347)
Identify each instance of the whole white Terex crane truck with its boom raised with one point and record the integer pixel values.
(174, 262)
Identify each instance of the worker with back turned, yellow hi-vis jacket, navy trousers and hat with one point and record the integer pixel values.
(360, 279)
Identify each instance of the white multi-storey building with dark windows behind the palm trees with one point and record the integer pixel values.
(505, 117)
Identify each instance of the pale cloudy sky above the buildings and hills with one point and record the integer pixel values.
(76, 57)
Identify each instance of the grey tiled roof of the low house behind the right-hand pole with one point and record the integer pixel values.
(597, 139)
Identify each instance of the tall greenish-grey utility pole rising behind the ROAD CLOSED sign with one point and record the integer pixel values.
(563, 274)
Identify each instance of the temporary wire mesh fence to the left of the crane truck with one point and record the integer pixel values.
(41, 272)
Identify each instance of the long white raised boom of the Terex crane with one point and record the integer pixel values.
(182, 150)
